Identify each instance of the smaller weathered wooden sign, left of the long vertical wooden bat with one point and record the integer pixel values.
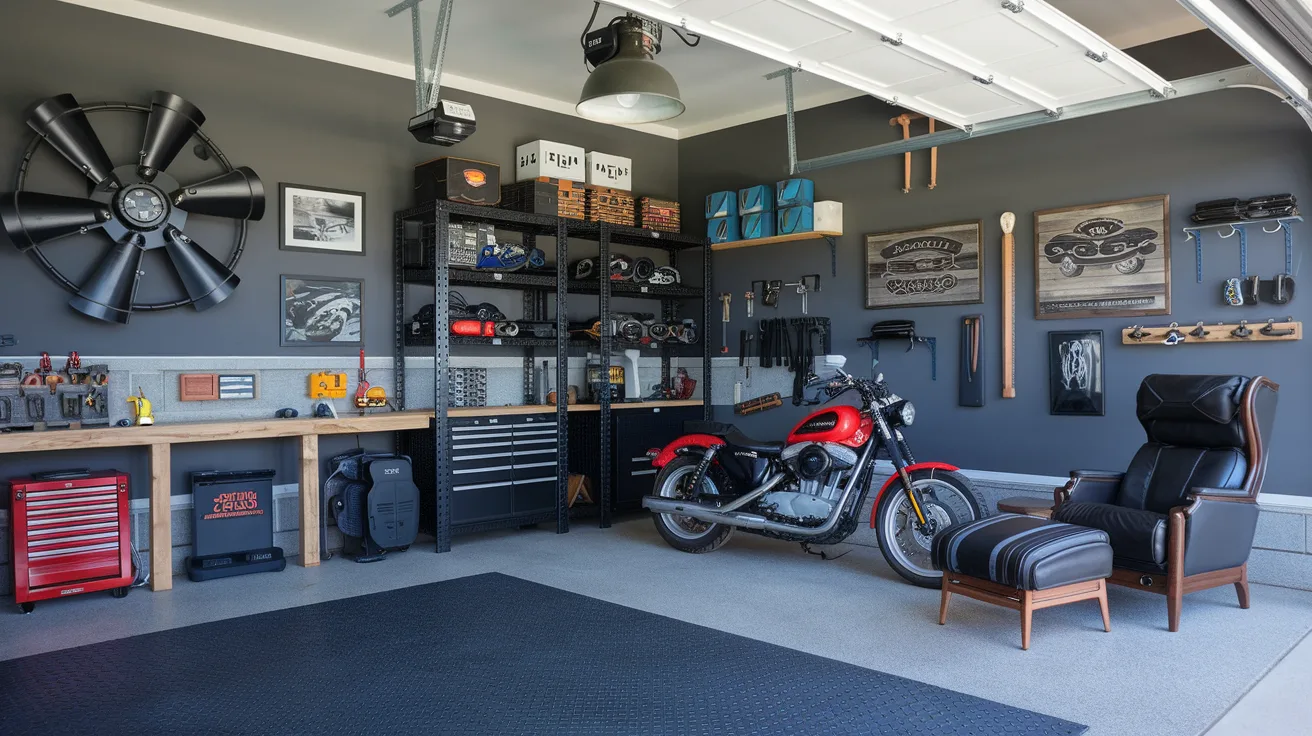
(926, 267)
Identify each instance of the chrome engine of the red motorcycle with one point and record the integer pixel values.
(818, 472)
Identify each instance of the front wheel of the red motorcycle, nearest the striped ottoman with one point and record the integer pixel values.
(948, 499)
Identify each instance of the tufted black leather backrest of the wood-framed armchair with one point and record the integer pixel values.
(1204, 431)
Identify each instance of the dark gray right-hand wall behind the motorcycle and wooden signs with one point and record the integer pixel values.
(1227, 144)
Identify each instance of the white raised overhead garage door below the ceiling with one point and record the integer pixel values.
(960, 61)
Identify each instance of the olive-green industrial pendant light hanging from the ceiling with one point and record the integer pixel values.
(628, 87)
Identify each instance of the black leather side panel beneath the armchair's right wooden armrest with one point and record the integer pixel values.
(1220, 531)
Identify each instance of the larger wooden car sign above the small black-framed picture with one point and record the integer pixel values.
(1103, 260)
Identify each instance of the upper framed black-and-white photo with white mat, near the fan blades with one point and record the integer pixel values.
(323, 221)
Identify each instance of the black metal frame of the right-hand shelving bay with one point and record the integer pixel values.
(607, 235)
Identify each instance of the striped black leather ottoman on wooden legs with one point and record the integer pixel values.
(1024, 563)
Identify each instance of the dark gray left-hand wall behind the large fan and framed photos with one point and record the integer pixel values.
(291, 119)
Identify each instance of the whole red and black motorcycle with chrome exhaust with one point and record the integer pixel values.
(813, 487)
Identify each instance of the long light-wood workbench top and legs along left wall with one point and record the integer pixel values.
(162, 438)
